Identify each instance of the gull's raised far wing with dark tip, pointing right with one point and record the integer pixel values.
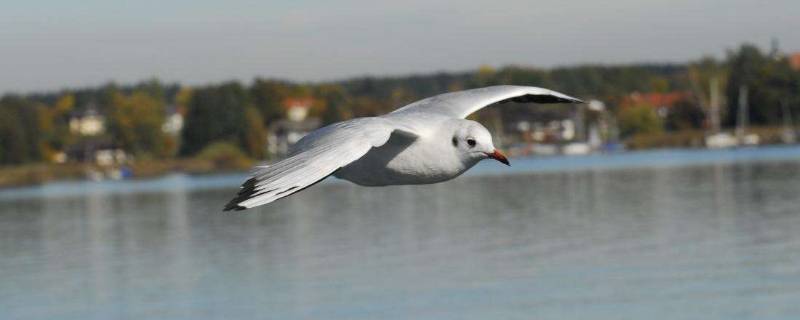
(460, 104)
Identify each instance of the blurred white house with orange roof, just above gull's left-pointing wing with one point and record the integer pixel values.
(286, 132)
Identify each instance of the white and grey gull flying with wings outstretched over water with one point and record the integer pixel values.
(425, 142)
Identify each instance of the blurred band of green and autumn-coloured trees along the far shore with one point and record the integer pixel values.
(36, 127)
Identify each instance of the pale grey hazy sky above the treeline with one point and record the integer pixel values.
(51, 44)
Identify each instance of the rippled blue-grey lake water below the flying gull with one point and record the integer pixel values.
(650, 235)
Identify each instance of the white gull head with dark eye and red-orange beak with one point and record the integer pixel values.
(474, 143)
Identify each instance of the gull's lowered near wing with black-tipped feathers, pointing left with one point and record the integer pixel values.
(316, 156)
